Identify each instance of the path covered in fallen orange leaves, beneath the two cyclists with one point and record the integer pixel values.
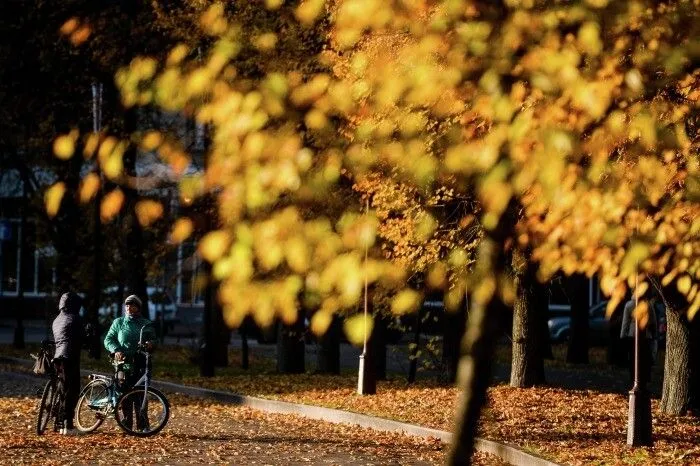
(205, 432)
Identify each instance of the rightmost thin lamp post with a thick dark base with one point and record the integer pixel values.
(639, 415)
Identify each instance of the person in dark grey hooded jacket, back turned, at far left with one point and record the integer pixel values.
(68, 333)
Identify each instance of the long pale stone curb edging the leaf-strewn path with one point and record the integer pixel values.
(508, 453)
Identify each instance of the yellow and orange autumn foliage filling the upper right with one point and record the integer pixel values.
(580, 116)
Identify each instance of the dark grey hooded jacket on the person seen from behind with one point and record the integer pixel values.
(68, 331)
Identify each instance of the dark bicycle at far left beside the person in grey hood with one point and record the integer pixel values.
(53, 397)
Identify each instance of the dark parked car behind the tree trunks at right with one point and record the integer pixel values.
(598, 324)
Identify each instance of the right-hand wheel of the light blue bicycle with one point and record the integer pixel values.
(141, 416)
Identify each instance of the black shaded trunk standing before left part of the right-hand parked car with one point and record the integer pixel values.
(577, 289)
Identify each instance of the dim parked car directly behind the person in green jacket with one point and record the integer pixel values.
(160, 303)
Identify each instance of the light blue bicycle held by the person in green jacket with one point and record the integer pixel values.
(106, 396)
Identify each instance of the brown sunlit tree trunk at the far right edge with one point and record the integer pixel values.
(675, 397)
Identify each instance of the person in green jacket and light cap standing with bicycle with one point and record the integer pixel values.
(122, 341)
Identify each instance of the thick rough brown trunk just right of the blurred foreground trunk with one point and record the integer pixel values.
(527, 367)
